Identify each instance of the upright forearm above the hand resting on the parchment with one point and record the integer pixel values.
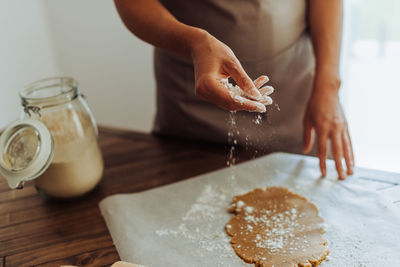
(325, 22)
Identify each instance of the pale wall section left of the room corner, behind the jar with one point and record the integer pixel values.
(26, 52)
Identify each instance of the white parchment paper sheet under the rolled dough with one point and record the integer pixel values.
(183, 224)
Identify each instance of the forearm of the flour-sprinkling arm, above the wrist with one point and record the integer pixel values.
(150, 21)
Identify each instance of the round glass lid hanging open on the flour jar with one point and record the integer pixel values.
(26, 151)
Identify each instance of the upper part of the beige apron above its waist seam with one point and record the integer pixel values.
(253, 29)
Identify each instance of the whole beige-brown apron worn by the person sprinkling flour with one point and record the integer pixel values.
(268, 37)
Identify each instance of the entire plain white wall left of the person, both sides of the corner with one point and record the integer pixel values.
(82, 39)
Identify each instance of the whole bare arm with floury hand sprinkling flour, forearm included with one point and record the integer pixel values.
(213, 60)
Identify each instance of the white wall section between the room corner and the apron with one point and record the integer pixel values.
(113, 67)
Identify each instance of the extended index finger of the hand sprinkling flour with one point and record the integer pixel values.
(241, 78)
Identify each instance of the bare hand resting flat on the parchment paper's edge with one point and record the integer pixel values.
(325, 118)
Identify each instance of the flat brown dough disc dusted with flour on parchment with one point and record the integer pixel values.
(276, 227)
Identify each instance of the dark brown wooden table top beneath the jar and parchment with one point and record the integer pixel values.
(36, 232)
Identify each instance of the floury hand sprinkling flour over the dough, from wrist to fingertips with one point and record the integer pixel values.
(213, 61)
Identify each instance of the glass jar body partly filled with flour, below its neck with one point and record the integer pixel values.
(77, 166)
